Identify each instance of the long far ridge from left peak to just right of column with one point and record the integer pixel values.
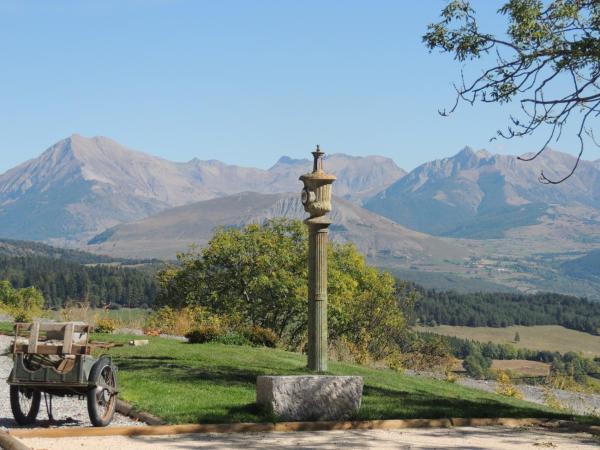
(81, 186)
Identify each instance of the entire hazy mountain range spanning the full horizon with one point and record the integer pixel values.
(473, 217)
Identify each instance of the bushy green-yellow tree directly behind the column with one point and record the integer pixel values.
(258, 275)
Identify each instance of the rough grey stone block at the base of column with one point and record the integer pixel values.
(310, 397)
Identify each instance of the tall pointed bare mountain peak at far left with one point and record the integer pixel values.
(80, 185)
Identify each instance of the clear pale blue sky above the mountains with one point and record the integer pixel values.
(240, 81)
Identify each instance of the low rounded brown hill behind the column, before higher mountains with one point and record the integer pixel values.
(168, 232)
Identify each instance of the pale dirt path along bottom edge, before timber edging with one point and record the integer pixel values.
(499, 438)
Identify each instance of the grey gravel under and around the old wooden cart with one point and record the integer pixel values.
(67, 411)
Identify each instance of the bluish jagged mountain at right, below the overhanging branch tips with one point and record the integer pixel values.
(481, 195)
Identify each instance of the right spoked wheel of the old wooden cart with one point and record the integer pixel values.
(101, 403)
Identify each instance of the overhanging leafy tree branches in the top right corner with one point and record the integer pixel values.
(548, 60)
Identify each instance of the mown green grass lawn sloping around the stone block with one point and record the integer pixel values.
(187, 383)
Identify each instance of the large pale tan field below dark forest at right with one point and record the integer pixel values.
(543, 337)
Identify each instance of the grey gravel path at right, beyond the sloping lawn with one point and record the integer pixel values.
(574, 401)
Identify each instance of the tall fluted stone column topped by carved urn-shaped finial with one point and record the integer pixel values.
(316, 198)
